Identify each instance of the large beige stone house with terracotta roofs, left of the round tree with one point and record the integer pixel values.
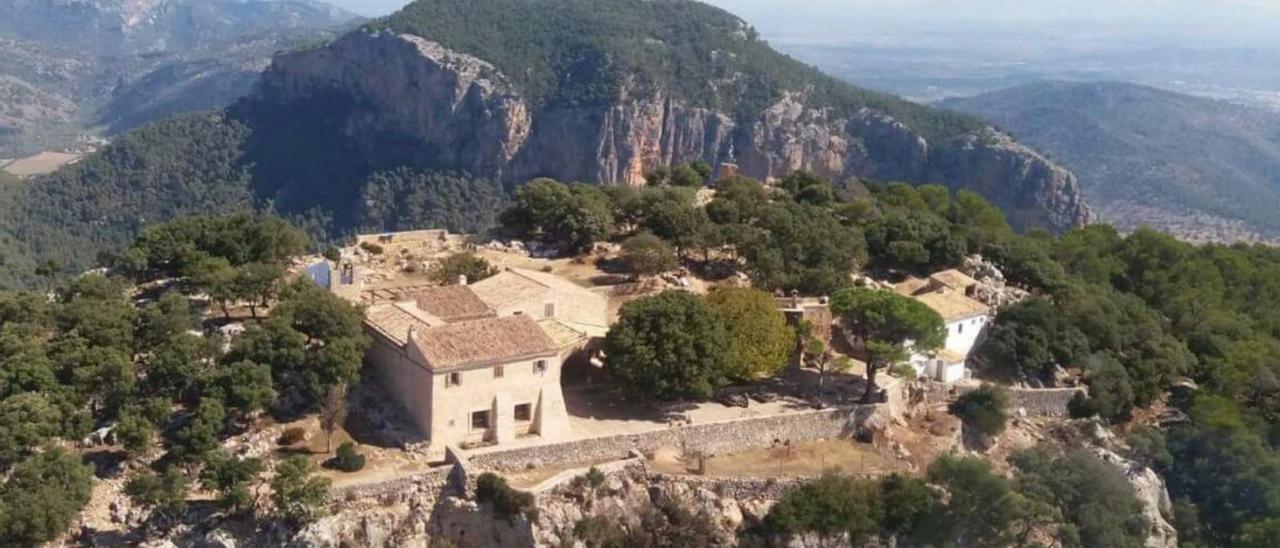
(482, 364)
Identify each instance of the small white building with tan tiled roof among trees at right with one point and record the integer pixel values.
(950, 295)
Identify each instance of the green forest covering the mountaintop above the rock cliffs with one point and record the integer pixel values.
(579, 53)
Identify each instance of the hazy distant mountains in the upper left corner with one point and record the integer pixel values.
(72, 67)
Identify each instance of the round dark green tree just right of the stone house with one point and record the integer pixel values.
(668, 348)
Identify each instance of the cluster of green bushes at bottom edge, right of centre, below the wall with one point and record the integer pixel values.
(1076, 499)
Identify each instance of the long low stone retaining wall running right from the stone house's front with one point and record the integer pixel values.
(714, 439)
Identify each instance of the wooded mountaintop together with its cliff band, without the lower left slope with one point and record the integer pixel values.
(620, 106)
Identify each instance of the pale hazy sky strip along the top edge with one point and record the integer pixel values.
(833, 20)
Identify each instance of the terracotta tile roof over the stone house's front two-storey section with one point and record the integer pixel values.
(495, 340)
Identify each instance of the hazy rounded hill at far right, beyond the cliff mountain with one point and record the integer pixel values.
(1199, 168)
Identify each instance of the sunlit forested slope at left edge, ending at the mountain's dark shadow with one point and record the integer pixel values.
(186, 166)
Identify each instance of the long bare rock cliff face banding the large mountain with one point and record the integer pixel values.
(413, 102)
